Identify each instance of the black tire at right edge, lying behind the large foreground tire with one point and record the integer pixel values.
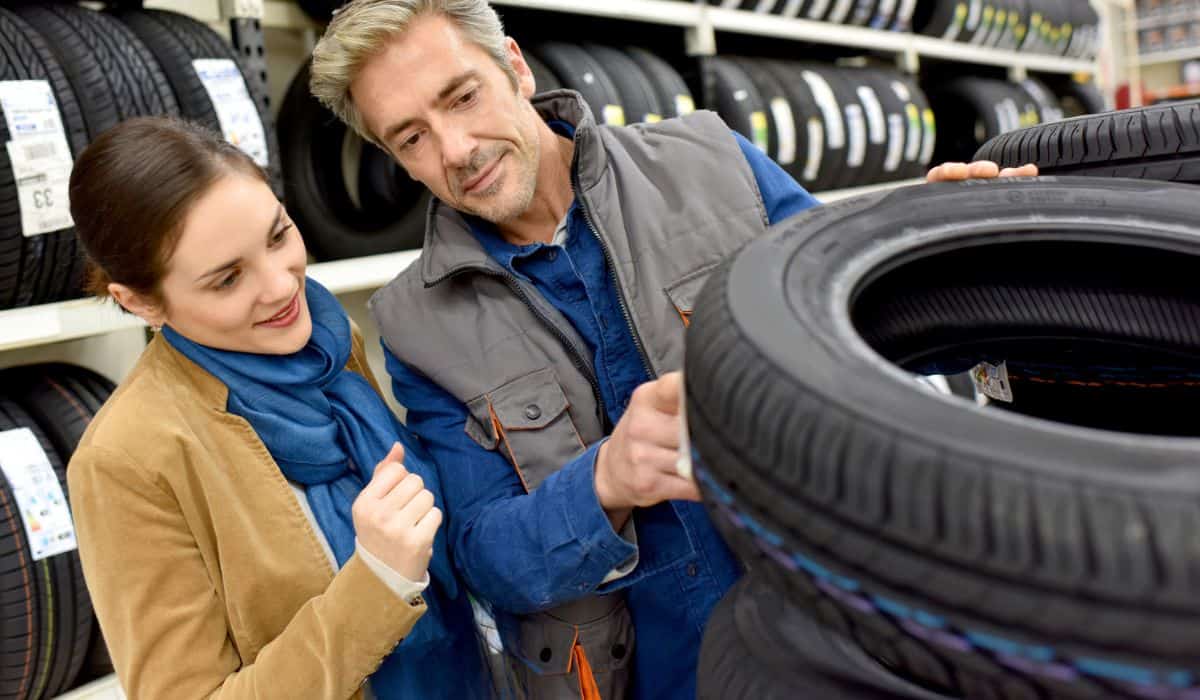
(1157, 143)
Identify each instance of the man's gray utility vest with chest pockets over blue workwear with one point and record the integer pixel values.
(669, 202)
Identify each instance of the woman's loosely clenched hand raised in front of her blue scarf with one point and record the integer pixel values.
(395, 518)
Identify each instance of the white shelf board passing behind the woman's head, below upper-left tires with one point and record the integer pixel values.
(37, 326)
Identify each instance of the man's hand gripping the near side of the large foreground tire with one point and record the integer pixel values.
(637, 466)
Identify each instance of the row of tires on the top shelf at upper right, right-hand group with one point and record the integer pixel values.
(1061, 28)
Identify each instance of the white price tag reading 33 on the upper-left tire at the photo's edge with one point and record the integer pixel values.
(40, 155)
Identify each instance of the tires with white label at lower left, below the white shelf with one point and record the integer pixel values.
(51, 638)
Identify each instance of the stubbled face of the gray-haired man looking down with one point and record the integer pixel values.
(453, 119)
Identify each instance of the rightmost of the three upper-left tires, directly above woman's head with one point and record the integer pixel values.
(176, 41)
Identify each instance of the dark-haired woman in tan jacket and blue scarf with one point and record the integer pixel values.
(248, 520)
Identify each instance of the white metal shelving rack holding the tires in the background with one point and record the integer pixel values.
(101, 338)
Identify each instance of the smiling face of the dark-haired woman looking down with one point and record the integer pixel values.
(237, 279)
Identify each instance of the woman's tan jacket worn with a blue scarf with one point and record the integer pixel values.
(207, 577)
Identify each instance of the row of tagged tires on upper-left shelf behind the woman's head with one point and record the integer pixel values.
(101, 69)
